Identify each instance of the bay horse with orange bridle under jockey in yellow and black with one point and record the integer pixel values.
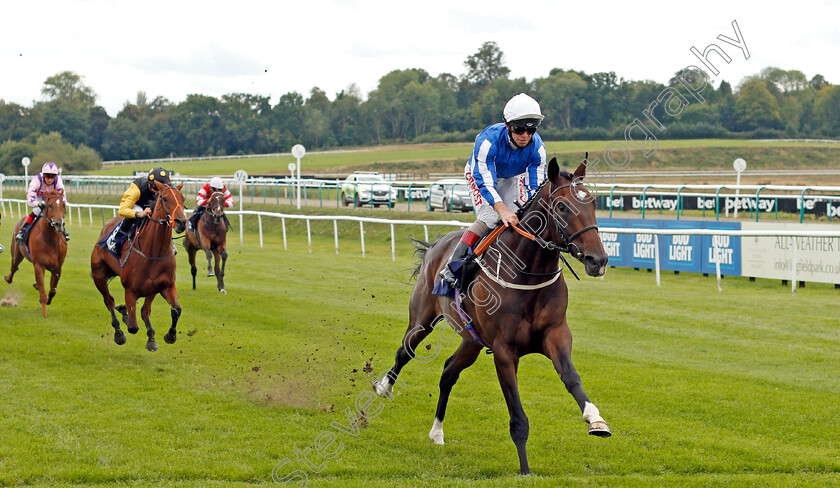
(146, 267)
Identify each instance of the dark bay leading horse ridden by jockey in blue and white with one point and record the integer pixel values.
(516, 305)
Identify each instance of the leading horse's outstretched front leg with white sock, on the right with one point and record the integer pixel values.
(558, 348)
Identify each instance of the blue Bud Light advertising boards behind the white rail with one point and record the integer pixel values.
(679, 252)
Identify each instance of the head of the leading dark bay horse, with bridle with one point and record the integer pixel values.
(571, 211)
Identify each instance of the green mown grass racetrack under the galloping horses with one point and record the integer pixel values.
(701, 388)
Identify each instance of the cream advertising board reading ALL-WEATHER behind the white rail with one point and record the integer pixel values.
(817, 258)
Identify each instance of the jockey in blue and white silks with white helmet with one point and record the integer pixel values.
(507, 164)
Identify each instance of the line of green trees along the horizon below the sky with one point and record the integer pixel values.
(408, 105)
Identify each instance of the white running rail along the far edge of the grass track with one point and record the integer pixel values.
(21, 207)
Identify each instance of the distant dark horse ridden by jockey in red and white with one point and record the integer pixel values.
(212, 239)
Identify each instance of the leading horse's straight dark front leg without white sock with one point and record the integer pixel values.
(507, 364)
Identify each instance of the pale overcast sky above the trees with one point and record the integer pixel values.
(174, 48)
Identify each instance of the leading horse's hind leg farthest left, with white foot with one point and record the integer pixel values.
(424, 316)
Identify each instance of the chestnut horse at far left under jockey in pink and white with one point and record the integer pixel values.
(47, 247)
